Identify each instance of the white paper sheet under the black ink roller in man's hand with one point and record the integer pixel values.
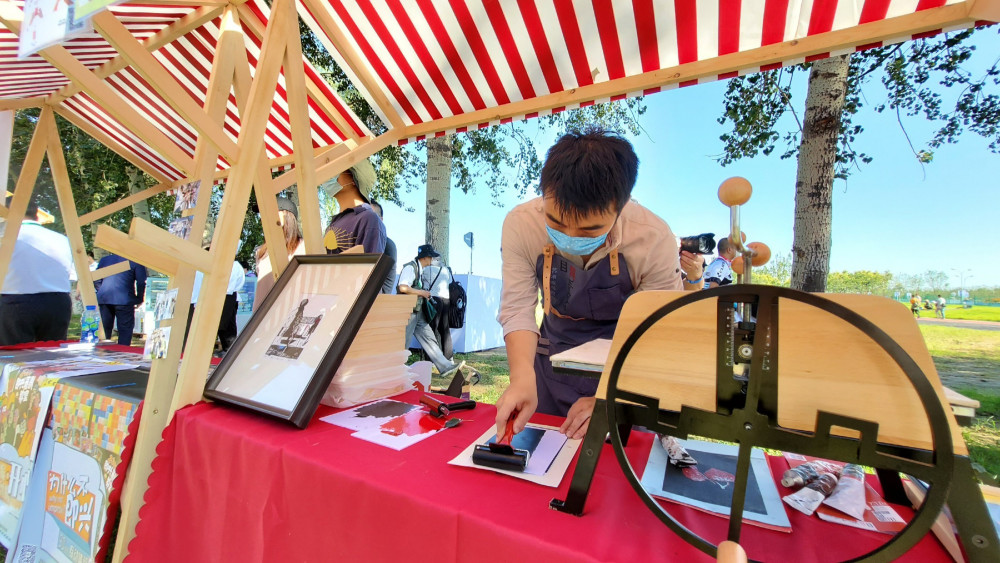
(553, 451)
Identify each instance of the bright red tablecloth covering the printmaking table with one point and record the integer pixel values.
(230, 485)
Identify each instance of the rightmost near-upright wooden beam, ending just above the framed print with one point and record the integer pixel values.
(305, 167)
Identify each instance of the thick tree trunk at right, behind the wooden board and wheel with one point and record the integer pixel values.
(814, 181)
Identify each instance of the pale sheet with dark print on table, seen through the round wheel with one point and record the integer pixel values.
(708, 486)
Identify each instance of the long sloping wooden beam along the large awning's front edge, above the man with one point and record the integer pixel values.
(910, 24)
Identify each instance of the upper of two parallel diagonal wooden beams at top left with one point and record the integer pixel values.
(160, 79)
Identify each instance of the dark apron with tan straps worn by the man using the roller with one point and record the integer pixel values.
(580, 306)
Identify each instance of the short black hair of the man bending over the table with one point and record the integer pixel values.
(588, 171)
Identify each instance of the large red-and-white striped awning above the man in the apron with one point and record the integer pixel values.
(435, 59)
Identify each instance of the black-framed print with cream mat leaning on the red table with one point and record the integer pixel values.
(285, 358)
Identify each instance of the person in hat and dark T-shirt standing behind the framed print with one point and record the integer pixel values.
(356, 224)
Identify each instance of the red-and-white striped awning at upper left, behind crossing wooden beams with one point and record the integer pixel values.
(189, 59)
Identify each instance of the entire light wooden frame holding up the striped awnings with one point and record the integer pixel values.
(173, 383)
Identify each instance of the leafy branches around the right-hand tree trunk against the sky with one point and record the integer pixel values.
(911, 73)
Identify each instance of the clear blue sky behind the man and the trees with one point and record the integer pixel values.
(891, 215)
